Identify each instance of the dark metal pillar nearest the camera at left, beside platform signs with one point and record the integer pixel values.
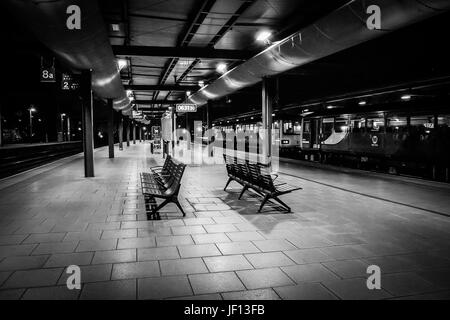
(88, 125)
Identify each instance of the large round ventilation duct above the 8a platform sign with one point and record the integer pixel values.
(84, 49)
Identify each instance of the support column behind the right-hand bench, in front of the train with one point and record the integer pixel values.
(267, 110)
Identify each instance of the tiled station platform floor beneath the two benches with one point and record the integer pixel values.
(52, 217)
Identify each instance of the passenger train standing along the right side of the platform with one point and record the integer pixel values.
(413, 142)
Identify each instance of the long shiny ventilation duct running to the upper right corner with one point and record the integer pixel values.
(342, 29)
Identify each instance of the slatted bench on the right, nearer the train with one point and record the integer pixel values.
(255, 176)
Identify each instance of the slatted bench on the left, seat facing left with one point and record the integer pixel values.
(163, 183)
